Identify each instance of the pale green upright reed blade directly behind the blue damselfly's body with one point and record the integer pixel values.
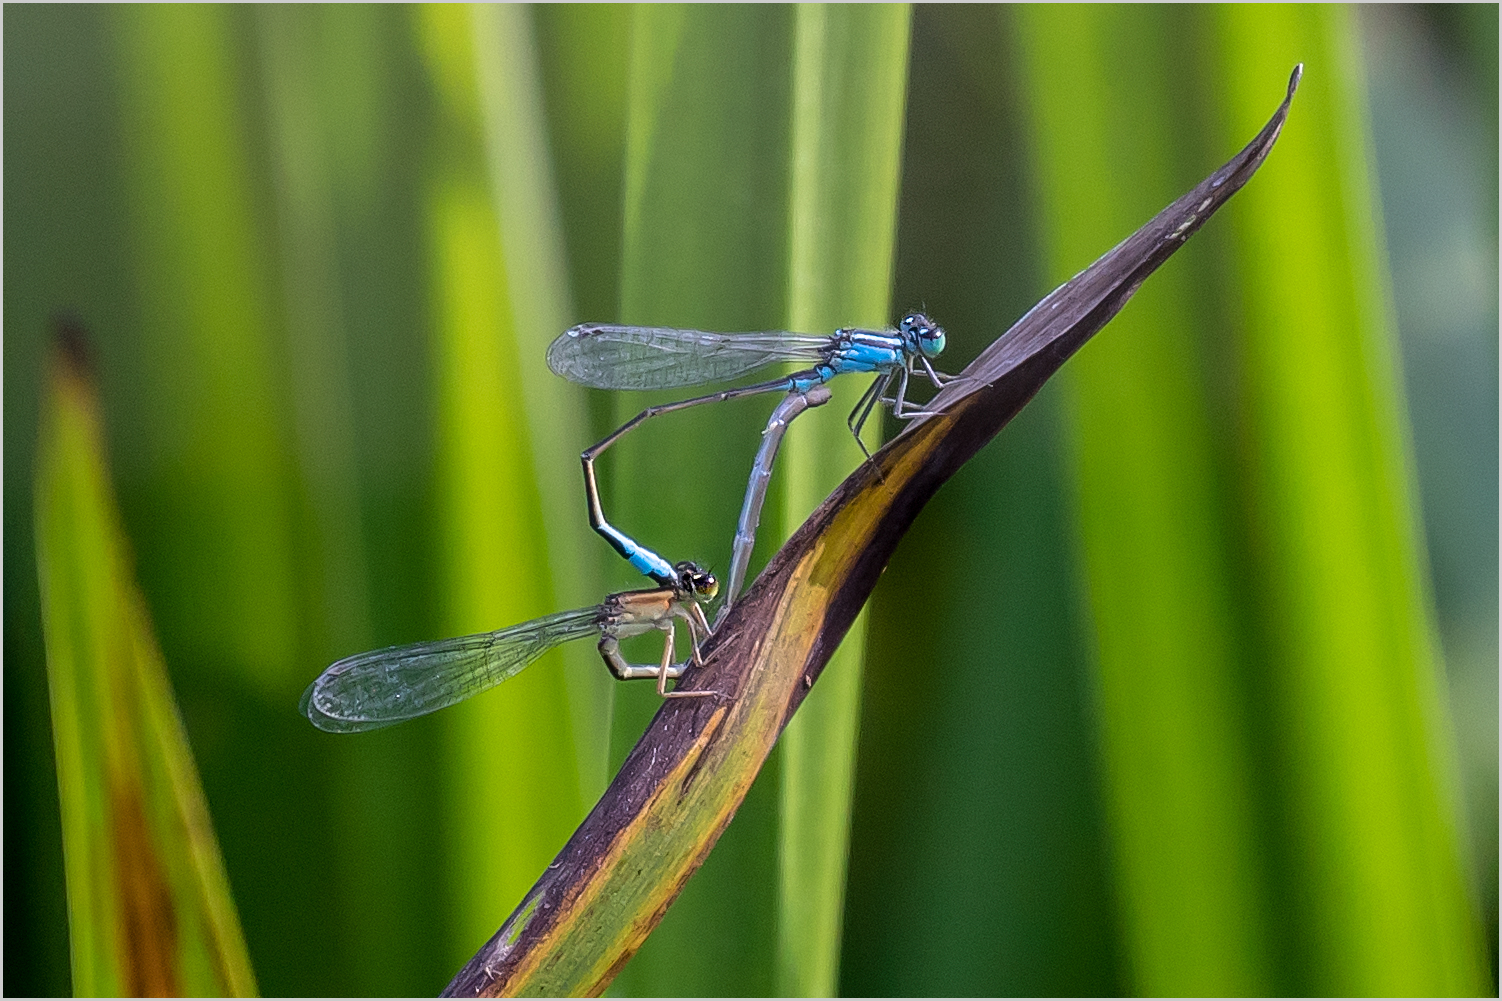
(849, 88)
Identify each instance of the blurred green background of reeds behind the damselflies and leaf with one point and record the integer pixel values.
(321, 252)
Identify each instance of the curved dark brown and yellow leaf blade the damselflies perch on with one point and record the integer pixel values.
(686, 778)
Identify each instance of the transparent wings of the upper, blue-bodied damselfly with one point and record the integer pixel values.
(611, 357)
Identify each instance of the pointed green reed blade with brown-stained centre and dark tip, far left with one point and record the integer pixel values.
(148, 900)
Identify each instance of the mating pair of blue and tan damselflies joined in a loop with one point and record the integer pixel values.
(388, 686)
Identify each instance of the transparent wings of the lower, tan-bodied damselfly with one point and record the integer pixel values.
(400, 683)
